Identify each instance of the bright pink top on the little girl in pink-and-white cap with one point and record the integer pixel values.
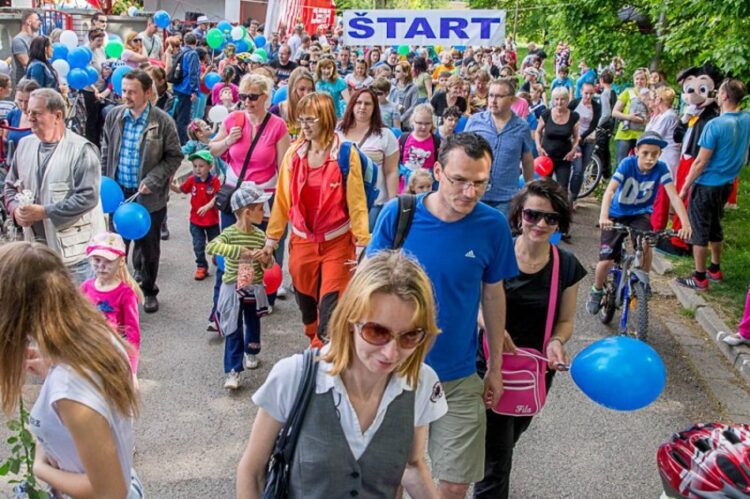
(120, 307)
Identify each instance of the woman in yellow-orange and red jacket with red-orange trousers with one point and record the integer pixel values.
(327, 212)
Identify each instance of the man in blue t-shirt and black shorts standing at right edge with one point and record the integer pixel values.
(724, 146)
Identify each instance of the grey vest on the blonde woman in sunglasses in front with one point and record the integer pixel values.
(324, 467)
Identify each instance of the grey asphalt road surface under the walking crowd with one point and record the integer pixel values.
(192, 432)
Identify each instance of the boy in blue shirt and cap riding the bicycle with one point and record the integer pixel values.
(629, 200)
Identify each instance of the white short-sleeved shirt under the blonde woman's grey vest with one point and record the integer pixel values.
(276, 396)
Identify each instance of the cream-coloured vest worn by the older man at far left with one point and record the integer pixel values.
(57, 184)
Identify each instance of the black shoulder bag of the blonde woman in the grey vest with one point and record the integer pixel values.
(278, 472)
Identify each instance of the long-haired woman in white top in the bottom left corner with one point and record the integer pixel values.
(83, 417)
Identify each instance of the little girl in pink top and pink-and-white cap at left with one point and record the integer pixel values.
(114, 292)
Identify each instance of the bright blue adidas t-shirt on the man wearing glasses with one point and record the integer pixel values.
(458, 257)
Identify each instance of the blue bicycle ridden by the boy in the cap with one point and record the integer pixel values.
(627, 286)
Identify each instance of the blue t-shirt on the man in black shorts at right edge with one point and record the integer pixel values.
(728, 136)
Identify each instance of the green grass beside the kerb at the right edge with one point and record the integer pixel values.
(735, 261)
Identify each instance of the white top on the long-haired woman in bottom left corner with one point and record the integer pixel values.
(63, 383)
